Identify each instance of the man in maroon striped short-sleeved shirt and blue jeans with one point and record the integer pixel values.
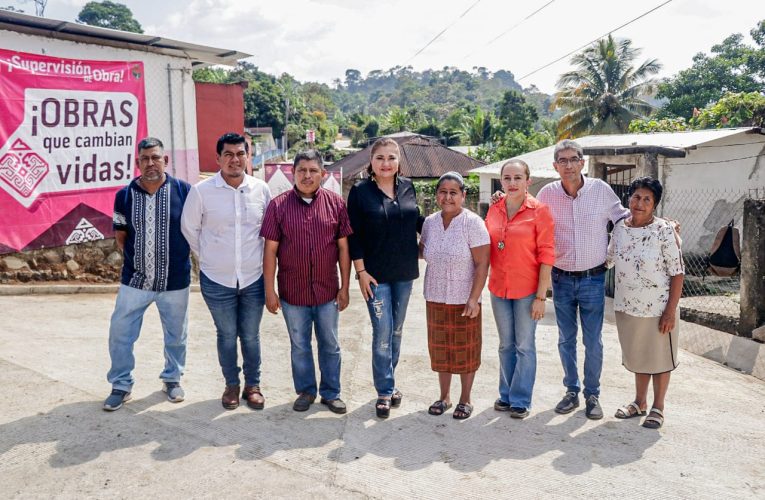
(306, 231)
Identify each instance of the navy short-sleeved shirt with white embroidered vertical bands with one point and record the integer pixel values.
(156, 255)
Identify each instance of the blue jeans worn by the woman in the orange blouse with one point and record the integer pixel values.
(517, 349)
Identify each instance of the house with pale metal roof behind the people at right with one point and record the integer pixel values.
(706, 174)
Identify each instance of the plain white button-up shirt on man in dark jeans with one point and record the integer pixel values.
(222, 225)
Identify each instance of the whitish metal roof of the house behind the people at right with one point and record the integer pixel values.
(540, 161)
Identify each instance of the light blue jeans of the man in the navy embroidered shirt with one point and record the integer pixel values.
(125, 327)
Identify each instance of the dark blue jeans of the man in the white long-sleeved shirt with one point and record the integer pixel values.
(236, 313)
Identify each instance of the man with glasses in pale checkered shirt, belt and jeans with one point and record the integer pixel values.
(582, 208)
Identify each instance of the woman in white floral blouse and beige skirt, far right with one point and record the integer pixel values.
(649, 281)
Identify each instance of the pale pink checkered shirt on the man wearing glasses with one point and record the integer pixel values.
(581, 234)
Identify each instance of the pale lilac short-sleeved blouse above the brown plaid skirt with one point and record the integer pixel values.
(450, 271)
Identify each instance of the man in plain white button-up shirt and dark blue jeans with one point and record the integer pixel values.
(221, 221)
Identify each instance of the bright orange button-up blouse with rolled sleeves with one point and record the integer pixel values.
(519, 246)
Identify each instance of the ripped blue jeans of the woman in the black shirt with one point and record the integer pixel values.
(387, 310)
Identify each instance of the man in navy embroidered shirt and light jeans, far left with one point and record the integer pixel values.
(156, 269)
